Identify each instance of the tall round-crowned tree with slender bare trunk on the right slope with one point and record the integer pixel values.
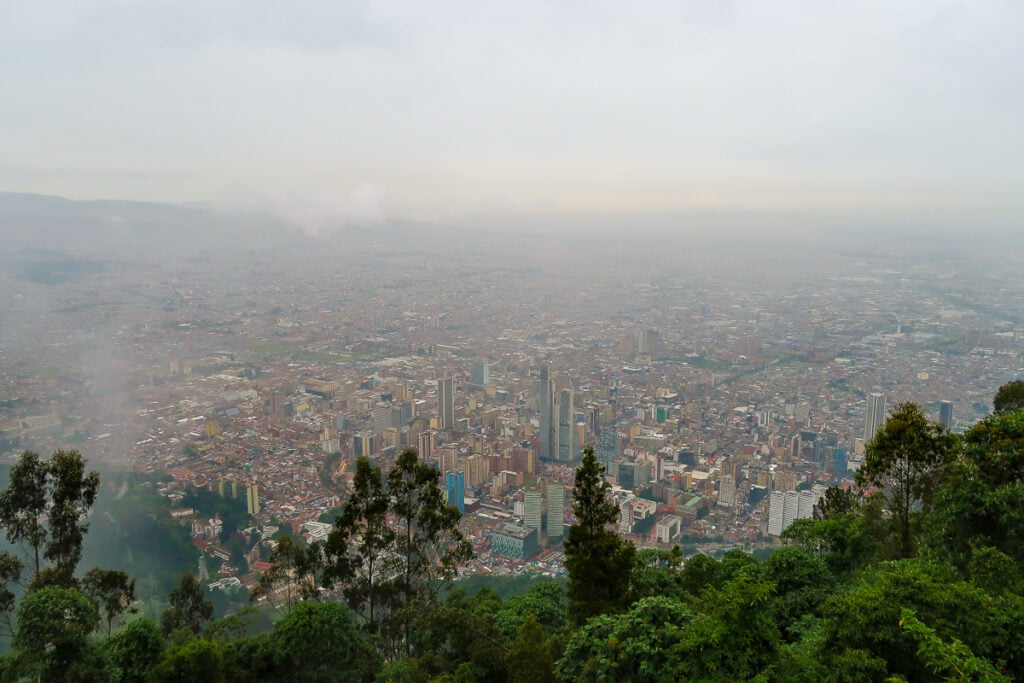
(905, 460)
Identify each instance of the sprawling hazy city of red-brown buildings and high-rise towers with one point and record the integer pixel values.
(722, 393)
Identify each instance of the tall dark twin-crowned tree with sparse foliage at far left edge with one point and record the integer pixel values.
(46, 507)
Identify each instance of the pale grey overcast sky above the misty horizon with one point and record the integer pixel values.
(447, 110)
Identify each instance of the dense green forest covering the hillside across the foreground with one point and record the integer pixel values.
(917, 574)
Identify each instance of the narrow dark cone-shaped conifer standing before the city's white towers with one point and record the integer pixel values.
(599, 560)
